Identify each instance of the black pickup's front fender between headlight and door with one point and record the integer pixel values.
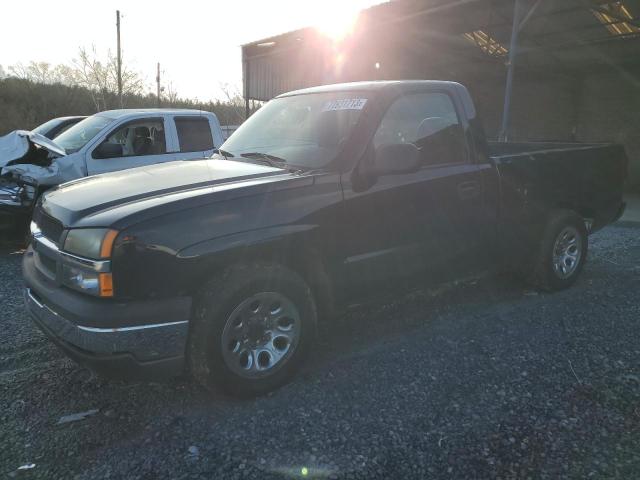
(173, 254)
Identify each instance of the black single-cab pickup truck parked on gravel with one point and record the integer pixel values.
(226, 266)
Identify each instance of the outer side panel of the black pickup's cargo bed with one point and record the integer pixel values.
(585, 177)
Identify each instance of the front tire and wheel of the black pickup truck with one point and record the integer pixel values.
(252, 327)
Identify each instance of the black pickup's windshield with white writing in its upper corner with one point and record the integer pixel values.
(306, 131)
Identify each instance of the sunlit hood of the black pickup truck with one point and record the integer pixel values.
(138, 188)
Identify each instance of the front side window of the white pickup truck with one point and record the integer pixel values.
(139, 138)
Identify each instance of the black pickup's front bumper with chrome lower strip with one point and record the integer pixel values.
(135, 348)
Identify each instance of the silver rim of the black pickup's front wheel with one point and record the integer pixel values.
(261, 334)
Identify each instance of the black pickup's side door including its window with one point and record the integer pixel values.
(402, 224)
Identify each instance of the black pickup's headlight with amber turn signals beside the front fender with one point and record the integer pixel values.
(87, 268)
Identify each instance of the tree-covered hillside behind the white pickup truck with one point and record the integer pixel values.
(25, 104)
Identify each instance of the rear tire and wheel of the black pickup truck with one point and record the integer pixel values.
(562, 253)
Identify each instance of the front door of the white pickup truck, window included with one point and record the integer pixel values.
(133, 144)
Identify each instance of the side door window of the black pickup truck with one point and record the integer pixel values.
(430, 122)
